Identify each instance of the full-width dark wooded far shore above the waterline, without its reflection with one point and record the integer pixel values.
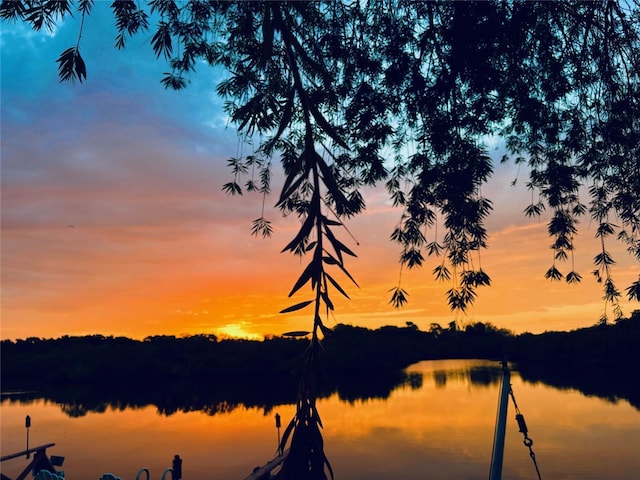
(346, 350)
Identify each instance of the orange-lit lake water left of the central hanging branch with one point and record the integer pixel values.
(124, 441)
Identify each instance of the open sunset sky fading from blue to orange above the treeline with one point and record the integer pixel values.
(114, 221)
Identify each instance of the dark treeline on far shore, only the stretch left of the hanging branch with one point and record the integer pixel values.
(98, 358)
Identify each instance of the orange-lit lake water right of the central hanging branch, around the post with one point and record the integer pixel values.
(445, 430)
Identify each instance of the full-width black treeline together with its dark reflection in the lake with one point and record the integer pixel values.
(202, 372)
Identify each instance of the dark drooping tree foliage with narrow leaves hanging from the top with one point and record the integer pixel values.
(349, 94)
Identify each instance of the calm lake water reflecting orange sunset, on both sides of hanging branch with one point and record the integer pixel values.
(438, 425)
